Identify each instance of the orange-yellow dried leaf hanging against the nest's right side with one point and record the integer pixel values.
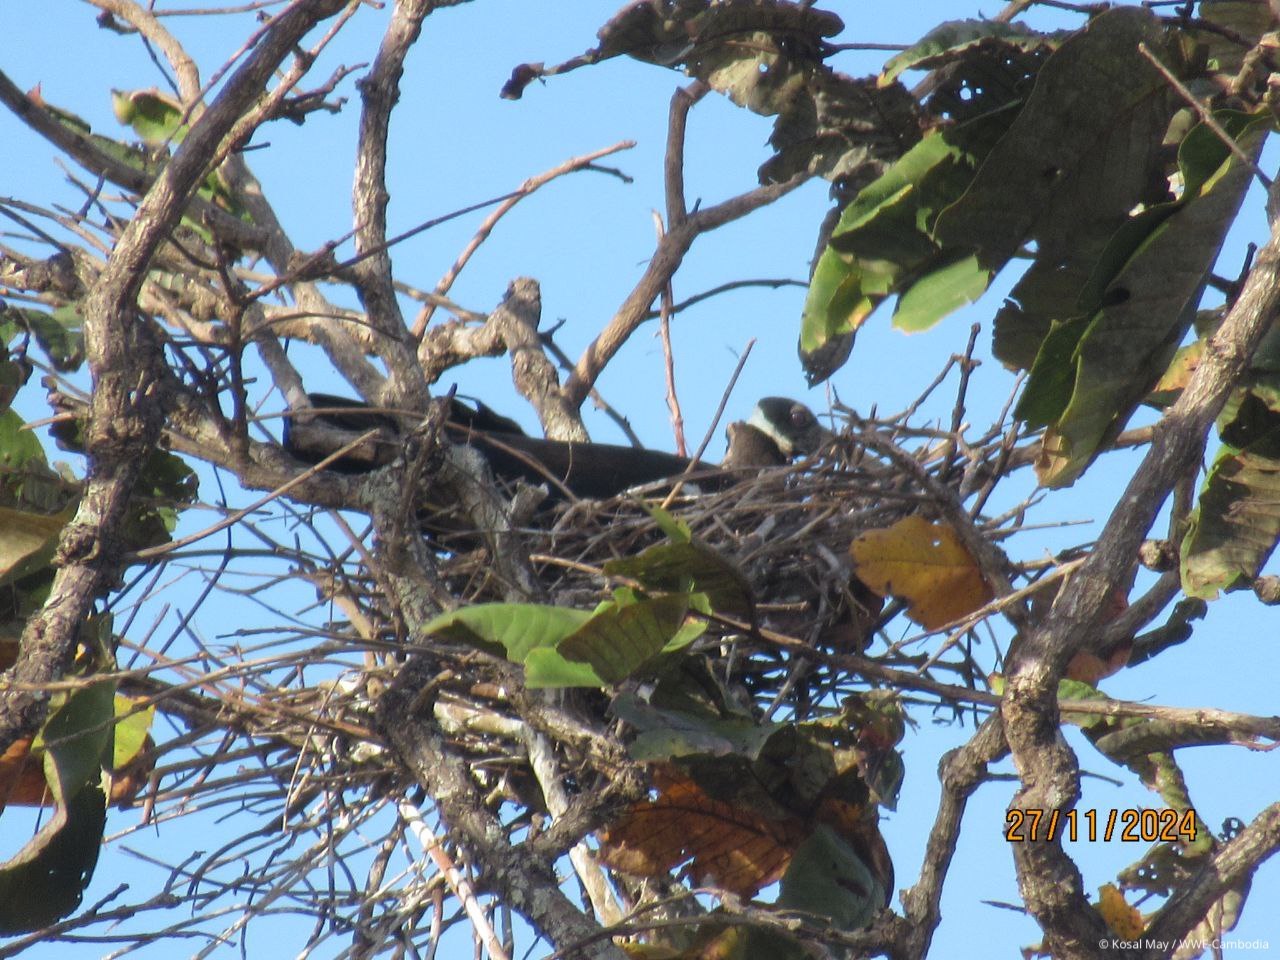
(924, 564)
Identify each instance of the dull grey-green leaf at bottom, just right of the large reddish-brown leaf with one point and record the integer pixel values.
(828, 877)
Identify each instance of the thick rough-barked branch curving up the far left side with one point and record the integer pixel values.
(125, 413)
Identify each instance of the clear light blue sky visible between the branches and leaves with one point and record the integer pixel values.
(587, 240)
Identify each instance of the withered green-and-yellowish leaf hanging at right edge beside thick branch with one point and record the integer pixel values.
(1237, 522)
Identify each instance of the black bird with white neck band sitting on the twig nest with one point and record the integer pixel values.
(778, 431)
